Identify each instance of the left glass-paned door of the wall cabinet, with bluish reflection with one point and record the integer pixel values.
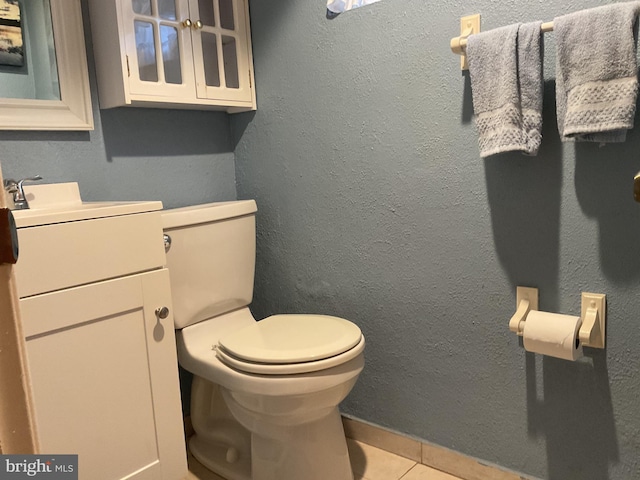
(158, 46)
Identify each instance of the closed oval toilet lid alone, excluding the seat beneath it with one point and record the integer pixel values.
(286, 339)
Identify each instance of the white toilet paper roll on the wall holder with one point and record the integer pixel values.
(552, 334)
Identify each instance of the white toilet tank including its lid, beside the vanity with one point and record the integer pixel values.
(211, 259)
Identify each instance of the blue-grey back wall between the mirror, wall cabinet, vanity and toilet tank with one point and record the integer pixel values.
(179, 157)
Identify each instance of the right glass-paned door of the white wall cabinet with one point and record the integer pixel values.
(220, 49)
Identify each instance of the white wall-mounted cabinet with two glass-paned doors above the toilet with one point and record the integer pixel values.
(173, 53)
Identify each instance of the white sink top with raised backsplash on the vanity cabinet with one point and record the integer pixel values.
(61, 202)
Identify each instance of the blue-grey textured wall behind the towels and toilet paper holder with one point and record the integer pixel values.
(374, 205)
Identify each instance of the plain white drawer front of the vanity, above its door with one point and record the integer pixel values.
(68, 254)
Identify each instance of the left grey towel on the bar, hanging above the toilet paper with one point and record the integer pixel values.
(505, 66)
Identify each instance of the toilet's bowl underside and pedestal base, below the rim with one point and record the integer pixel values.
(294, 435)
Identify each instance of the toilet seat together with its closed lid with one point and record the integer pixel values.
(289, 344)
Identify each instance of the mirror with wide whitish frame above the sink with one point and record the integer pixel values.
(43, 66)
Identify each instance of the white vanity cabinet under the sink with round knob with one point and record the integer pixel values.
(101, 352)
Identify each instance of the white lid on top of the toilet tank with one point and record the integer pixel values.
(208, 212)
